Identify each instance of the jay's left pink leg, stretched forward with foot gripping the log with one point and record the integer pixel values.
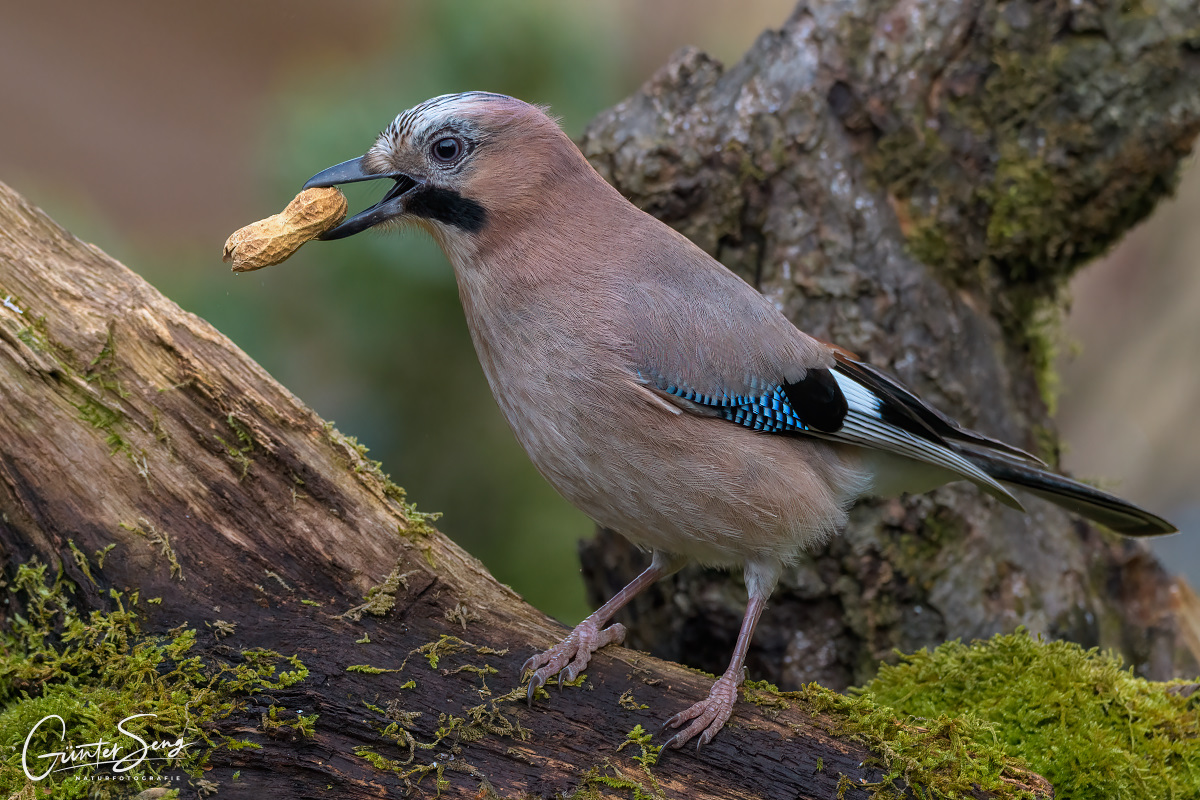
(572, 655)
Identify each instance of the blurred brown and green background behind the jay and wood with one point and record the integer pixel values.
(155, 130)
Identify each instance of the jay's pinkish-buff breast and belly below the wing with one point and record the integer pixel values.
(700, 488)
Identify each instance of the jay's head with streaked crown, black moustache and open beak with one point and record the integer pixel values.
(461, 165)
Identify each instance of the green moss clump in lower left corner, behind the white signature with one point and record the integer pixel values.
(99, 669)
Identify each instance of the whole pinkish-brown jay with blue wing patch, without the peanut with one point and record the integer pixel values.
(653, 388)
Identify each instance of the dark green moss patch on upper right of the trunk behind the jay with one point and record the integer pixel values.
(1033, 160)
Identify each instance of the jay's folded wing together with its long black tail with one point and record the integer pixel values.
(705, 342)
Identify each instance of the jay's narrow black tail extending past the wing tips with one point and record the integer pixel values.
(1085, 501)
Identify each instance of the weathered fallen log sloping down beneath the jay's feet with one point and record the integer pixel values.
(206, 522)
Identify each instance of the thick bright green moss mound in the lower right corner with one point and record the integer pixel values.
(1076, 717)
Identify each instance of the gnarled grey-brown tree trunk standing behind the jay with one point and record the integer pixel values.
(916, 182)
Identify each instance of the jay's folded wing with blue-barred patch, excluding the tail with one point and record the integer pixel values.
(711, 345)
